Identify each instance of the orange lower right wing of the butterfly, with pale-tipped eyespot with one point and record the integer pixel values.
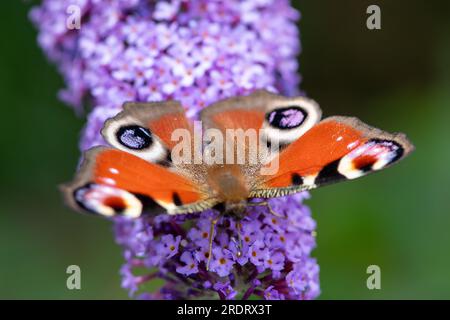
(336, 149)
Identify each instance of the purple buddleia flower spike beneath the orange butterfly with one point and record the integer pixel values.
(196, 52)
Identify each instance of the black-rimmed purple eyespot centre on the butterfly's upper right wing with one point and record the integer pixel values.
(287, 117)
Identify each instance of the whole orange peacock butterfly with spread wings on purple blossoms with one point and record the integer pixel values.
(141, 170)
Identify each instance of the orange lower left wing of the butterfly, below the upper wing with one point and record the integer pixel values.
(112, 182)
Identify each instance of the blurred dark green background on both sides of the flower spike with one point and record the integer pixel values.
(397, 78)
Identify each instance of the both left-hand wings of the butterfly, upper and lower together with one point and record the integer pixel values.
(140, 173)
